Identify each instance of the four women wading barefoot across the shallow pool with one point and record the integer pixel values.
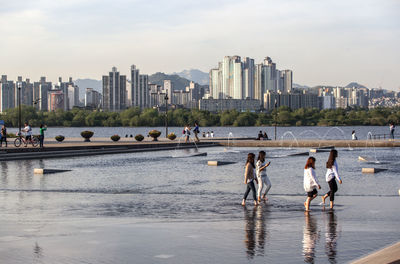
(256, 172)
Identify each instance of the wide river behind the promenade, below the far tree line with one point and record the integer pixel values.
(282, 132)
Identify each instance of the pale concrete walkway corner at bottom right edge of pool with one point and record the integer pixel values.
(389, 254)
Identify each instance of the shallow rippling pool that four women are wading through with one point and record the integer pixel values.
(152, 208)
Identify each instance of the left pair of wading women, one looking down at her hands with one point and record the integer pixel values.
(256, 172)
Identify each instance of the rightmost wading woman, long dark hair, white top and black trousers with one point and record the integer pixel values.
(331, 176)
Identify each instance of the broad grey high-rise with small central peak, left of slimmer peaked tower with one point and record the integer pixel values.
(114, 91)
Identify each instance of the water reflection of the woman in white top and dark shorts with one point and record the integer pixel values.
(310, 238)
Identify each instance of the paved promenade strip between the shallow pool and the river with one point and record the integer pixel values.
(73, 147)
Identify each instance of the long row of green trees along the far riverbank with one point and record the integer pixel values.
(283, 116)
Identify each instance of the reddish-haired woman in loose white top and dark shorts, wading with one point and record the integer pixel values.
(310, 182)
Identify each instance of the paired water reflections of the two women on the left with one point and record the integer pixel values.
(256, 232)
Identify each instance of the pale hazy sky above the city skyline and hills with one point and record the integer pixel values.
(330, 42)
